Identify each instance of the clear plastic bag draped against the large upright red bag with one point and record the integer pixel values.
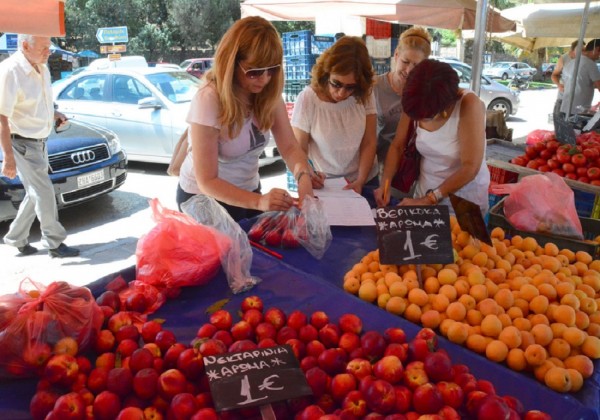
(236, 256)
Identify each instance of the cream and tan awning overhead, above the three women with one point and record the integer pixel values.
(447, 14)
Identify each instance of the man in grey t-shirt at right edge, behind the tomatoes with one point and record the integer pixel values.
(588, 79)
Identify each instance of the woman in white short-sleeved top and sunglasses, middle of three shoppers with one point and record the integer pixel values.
(335, 118)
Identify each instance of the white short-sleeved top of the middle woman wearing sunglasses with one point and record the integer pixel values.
(337, 130)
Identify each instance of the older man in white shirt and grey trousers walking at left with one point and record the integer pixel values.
(27, 116)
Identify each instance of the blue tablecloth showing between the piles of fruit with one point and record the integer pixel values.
(301, 282)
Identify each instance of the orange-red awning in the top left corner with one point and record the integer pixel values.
(35, 17)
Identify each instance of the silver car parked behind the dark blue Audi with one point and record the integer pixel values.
(145, 106)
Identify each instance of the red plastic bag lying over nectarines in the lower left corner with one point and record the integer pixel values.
(35, 318)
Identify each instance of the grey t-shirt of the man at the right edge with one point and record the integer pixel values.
(584, 87)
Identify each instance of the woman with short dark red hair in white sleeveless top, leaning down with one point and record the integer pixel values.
(450, 138)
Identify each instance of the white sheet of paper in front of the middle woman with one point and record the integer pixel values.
(344, 211)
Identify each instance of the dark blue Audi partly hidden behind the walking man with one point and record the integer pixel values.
(85, 161)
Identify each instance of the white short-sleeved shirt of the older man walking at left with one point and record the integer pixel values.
(26, 97)
